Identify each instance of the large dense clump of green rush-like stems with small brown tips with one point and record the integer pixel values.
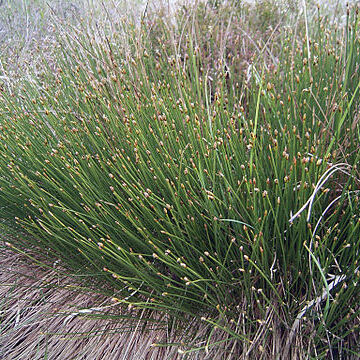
(183, 189)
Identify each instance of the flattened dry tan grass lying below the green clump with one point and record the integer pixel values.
(38, 321)
